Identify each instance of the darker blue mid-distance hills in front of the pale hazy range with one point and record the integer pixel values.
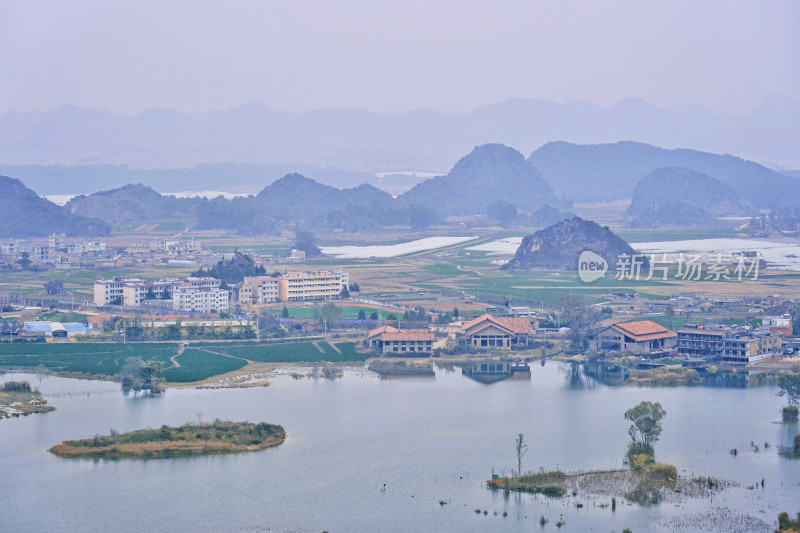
(669, 187)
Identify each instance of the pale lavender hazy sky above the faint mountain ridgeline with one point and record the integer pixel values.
(391, 56)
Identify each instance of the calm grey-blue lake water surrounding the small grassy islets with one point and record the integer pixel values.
(426, 439)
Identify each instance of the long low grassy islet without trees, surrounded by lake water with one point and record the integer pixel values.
(188, 439)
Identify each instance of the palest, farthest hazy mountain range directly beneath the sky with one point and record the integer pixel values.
(347, 141)
